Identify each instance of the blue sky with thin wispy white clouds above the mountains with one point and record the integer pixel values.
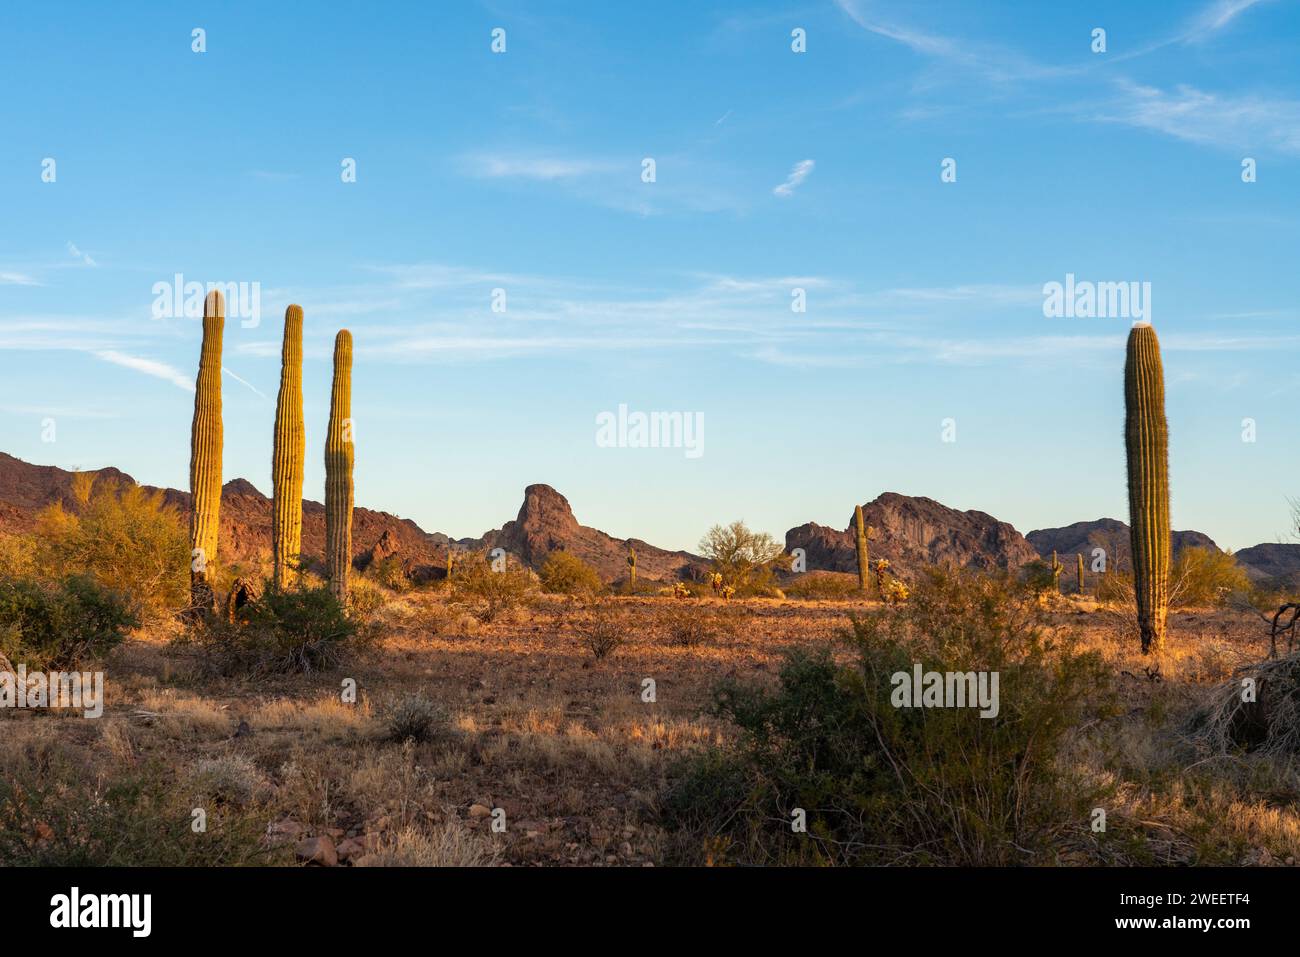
(774, 171)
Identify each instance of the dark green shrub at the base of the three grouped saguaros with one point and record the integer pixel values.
(294, 631)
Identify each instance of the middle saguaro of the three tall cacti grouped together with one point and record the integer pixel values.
(289, 449)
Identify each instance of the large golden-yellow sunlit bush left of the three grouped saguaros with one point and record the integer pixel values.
(124, 538)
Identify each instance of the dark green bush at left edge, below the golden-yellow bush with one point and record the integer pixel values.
(58, 625)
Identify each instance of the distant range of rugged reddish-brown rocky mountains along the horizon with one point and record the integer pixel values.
(908, 531)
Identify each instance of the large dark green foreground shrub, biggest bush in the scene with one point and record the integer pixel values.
(887, 785)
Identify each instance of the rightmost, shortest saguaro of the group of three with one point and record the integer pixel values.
(339, 470)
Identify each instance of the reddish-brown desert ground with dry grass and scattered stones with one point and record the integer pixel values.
(531, 751)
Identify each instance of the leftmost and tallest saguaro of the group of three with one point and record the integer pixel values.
(206, 440)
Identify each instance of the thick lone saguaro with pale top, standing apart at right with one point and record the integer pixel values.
(1147, 445)
